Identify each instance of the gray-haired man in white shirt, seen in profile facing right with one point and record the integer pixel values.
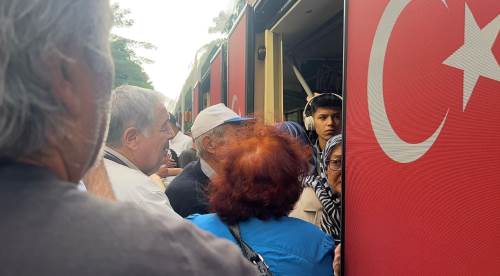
(136, 145)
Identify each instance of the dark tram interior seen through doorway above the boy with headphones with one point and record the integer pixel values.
(313, 41)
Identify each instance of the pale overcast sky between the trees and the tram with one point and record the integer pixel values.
(178, 28)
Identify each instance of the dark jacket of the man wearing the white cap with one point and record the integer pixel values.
(188, 191)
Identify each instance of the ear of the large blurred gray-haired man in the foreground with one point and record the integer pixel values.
(62, 80)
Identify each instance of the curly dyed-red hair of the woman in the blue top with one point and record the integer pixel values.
(259, 176)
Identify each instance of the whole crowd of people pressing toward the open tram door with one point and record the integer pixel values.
(102, 182)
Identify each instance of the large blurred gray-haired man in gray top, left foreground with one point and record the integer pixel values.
(55, 88)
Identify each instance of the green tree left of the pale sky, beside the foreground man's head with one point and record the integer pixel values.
(128, 65)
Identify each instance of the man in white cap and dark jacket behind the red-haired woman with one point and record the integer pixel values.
(187, 192)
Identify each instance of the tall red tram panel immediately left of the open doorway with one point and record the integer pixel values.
(236, 78)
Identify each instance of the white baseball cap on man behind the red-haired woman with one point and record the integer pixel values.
(212, 117)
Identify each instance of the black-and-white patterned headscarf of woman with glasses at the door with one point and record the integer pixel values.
(330, 219)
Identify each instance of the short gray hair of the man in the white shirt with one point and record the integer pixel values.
(132, 106)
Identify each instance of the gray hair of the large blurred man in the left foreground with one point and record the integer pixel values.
(33, 34)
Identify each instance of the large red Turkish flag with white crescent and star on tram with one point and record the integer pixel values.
(422, 130)
